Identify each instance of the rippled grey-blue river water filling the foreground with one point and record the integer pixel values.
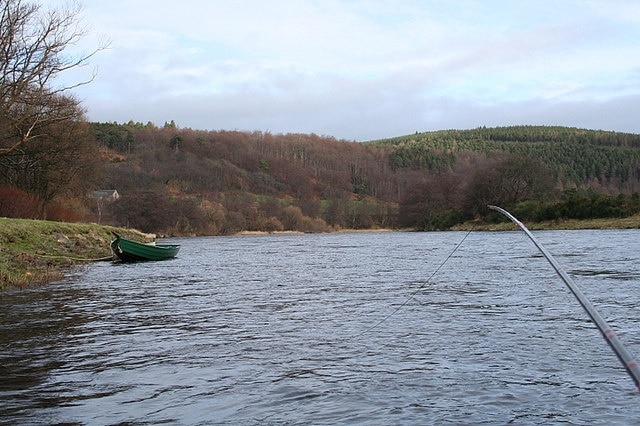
(363, 328)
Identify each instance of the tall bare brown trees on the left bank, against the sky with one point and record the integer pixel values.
(46, 148)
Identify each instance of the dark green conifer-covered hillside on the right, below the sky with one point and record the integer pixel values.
(608, 161)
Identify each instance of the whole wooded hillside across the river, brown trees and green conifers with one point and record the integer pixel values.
(188, 181)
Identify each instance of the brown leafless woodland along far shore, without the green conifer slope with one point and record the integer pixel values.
(255, 181)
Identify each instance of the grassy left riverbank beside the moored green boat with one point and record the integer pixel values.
(37, 251)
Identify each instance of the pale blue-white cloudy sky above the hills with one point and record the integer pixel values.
(363, 69)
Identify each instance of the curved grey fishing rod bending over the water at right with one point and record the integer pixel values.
(610, 336)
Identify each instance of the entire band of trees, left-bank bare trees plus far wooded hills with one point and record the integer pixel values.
(182, 181)
